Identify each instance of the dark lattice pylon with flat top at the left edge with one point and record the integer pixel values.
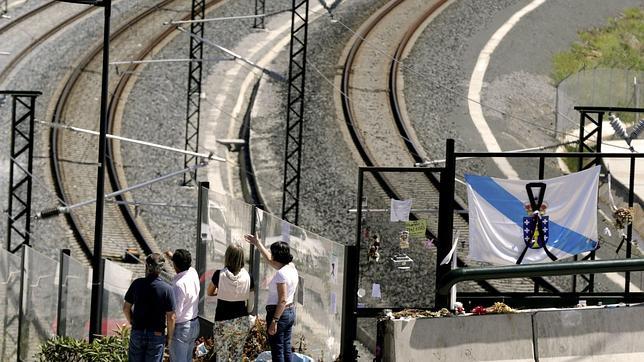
(20, 168)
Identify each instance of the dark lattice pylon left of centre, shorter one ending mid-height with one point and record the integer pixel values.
(194, 89)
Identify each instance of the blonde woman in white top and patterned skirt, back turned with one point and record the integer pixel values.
(232, 285)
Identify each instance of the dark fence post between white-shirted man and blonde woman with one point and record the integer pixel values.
(202, 234)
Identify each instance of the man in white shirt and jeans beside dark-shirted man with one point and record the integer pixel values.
(186, 288)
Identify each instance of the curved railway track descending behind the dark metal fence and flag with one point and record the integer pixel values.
(396, 130)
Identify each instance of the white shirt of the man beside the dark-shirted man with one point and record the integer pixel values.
(186, 288)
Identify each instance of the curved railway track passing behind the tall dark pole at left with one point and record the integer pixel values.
(73, 156)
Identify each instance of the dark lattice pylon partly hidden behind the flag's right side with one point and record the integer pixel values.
(590, 140)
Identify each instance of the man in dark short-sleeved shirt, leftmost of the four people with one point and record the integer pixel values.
(149, 305)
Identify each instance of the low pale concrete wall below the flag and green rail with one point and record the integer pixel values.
(591, 334)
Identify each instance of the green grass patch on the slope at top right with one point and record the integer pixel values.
(620, 44)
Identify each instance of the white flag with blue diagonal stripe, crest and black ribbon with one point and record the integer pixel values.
(520, 222)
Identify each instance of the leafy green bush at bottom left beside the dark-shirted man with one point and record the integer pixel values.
(67, 349)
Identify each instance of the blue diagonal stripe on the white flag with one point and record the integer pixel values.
(507, 204)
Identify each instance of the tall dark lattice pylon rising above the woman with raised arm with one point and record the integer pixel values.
(295, 111)
